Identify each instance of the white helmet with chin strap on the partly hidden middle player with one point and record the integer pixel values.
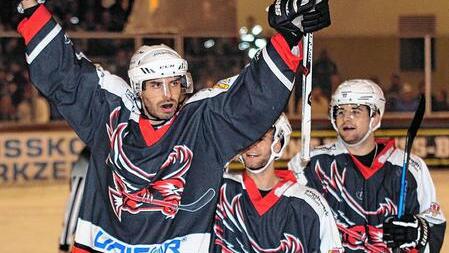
(282, 132)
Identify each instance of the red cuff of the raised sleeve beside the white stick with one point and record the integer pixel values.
(283, 49)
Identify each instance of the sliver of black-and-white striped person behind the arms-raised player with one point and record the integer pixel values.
(77, 179)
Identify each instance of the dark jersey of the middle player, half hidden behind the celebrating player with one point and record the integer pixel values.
(290, 218)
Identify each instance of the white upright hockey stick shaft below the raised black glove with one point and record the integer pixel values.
(306, 113)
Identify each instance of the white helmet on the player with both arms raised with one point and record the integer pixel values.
(158, 61)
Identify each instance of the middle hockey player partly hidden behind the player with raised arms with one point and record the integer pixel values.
(266, 210)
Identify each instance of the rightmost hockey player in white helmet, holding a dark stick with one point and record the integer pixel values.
(360, 178)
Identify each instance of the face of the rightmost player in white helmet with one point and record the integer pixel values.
(352, 122)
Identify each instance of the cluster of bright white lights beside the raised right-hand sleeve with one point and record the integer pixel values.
(251, 40)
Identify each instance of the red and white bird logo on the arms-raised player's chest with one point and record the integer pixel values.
(164, 191)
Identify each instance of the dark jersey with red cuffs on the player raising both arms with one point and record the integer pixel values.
(153, 190)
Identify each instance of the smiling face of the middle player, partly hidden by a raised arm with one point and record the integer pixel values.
(258, 154)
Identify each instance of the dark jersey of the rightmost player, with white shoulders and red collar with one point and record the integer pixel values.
(361, 197)
